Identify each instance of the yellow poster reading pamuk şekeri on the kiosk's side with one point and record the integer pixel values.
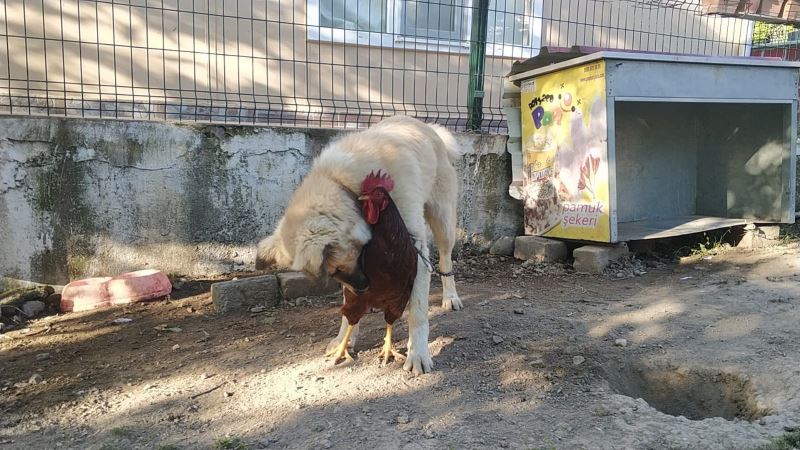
(564, 144)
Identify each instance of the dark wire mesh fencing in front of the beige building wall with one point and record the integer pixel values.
(314, 63)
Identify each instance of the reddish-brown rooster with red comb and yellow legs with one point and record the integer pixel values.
(389, 261)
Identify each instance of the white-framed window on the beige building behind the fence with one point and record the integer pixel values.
(514, 26)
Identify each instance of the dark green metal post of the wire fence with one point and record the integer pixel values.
(477, 61)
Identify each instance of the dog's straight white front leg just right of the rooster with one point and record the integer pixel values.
(419, 358)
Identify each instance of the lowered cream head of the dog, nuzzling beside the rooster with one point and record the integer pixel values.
(321, 234)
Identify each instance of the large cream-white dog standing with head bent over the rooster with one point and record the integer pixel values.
(323, 231)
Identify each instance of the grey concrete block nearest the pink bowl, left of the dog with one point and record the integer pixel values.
(240, 295)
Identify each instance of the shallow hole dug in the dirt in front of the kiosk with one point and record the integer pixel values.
(693, 393)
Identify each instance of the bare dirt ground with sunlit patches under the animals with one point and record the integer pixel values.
(535, 360)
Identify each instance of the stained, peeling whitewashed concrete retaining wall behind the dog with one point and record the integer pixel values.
(99, 197)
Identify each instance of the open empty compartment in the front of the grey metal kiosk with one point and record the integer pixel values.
(684, 168)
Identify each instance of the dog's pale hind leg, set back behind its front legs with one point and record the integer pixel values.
(442, 220)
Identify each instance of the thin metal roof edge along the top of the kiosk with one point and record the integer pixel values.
(659, 57)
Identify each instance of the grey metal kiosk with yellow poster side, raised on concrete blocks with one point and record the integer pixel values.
(621, 146)
